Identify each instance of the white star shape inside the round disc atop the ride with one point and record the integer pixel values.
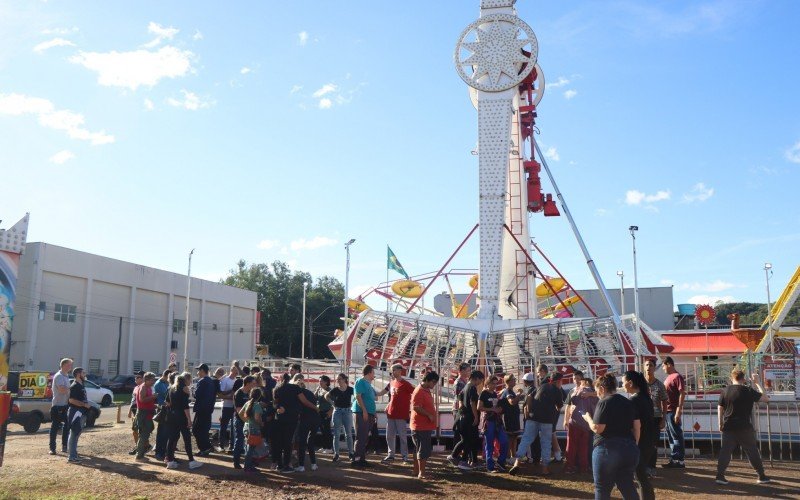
(496, 51)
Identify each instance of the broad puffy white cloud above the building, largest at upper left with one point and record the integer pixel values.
(136, 68)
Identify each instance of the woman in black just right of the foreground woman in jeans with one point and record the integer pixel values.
(636, 385)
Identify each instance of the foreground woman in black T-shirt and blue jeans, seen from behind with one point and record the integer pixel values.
(616, 430)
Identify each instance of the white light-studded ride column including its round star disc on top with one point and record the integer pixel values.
(490, 57)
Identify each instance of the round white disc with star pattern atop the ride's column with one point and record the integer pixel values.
(497, 59)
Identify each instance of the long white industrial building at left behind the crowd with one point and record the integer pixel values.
(117, 317)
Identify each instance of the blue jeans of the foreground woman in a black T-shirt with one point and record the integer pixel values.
(614, 463)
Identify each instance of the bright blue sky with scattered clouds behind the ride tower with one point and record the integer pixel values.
(278, 130)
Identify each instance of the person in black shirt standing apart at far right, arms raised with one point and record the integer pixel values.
(734, 409)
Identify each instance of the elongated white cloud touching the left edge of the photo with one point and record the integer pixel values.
(68, 121)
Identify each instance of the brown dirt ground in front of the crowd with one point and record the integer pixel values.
(109, 472)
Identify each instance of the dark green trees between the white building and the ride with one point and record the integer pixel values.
(280, 301)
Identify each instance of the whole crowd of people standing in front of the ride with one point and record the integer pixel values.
(267, 419)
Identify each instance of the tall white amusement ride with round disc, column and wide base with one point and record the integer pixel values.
(524, 314)
